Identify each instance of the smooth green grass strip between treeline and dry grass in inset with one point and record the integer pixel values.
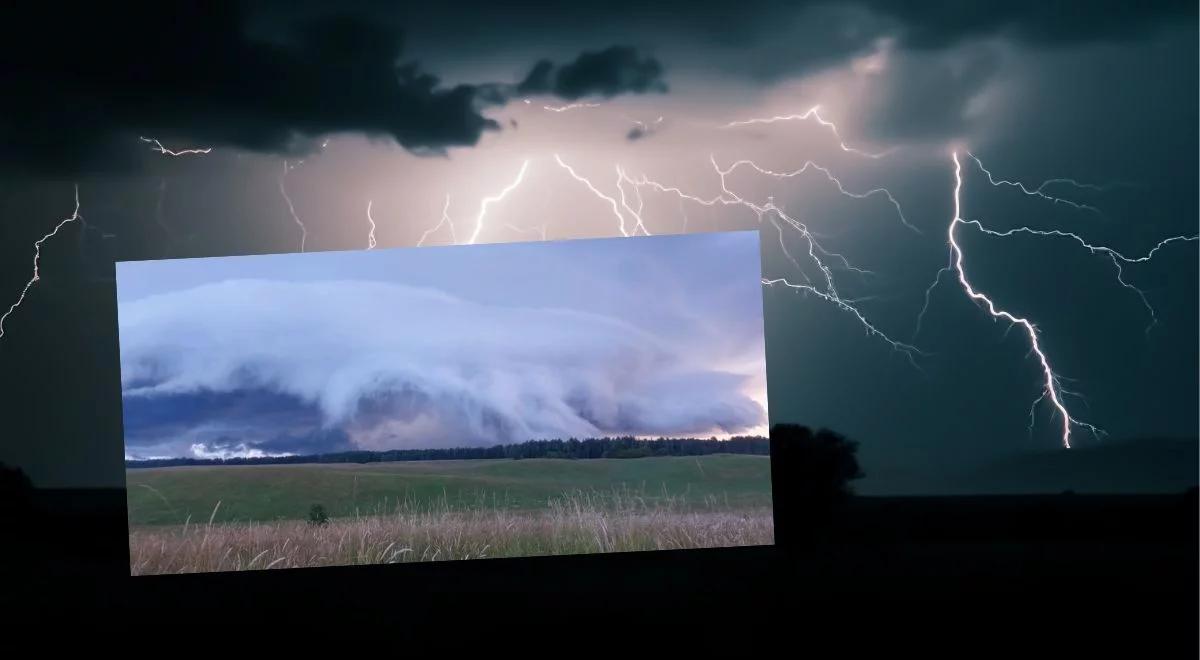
(172, 496)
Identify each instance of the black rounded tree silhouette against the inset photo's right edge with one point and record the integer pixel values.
(811, 481)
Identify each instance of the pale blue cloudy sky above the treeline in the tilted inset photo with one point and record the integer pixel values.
(442, 347)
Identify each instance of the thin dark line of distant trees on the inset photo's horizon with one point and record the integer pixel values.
(573, 448)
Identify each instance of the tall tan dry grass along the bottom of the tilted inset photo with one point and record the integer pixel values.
(575, 524)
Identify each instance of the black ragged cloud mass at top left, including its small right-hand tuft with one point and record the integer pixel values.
(82, 86)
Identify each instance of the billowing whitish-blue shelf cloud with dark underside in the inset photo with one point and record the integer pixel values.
(255, 367)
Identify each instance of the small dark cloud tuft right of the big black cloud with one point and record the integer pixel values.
(617, 70)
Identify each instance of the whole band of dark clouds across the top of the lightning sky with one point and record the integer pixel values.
(81, 86)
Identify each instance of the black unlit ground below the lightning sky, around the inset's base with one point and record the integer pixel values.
(1085, 574)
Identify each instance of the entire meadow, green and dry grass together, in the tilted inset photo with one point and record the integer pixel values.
(239, 518)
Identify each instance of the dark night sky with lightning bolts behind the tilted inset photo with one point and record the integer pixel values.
(602, 119)
